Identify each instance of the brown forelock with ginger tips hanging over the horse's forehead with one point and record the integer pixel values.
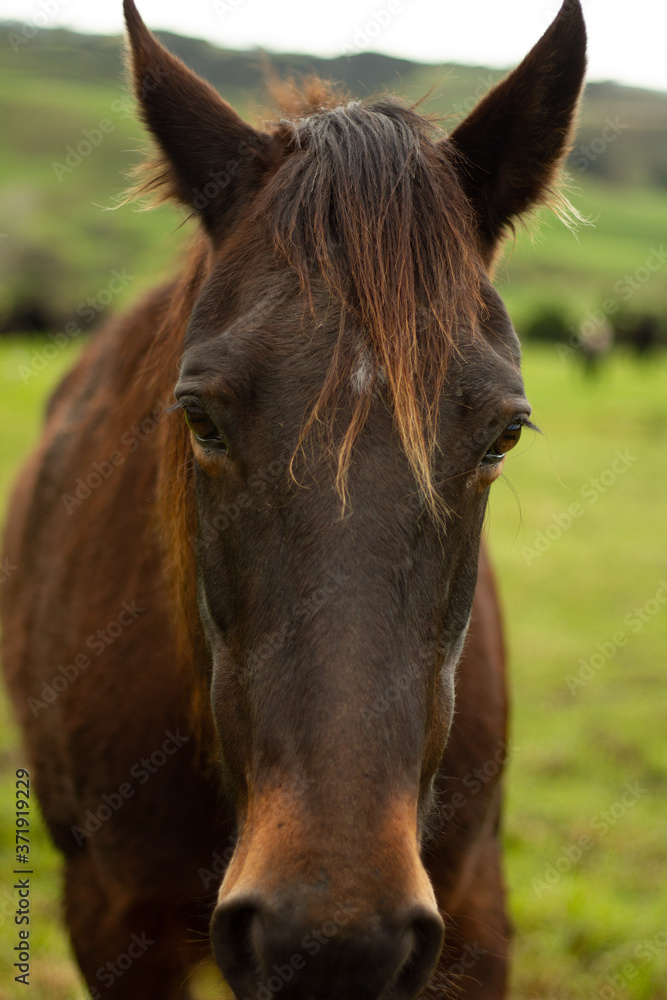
(368, 200)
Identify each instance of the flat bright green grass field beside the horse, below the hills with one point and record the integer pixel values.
(577, 534)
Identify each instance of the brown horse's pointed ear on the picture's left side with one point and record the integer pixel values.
(212, 161)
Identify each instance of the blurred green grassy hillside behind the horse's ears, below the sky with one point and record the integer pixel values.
(69, 136)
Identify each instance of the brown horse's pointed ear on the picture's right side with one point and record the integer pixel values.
(513, 142)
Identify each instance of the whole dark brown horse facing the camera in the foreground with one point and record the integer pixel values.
(249, 551)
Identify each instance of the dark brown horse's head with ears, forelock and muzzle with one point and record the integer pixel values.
(350, 384)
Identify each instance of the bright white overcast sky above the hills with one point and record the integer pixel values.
(628, 38)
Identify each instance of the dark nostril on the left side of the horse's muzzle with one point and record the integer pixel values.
(233, 935)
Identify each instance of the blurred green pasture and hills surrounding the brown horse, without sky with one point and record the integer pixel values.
(575, 751)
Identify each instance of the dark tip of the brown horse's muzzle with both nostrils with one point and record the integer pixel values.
(296, 950)
